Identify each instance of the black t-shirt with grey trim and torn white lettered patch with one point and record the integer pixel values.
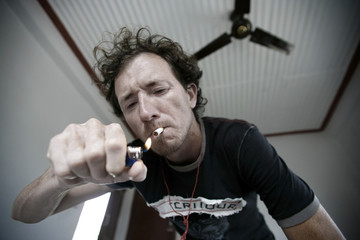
(237, 164)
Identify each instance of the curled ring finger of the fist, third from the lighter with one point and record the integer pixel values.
(75, 152)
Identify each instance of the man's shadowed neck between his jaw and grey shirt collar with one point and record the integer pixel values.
(191, 148)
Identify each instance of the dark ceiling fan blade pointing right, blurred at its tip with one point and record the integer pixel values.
(266, 39)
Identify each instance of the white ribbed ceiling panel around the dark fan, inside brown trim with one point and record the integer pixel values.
(278, 92)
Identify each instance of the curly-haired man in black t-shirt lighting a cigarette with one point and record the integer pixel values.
(201, 173)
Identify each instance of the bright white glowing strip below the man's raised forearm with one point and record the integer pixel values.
(91, 218)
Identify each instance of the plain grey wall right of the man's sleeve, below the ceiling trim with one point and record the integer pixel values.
(330, 161)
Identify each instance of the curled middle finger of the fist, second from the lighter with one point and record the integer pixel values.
(94, 149)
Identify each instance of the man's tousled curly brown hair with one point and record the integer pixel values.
(112, 55)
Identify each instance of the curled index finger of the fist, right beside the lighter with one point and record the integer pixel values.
(115, 147)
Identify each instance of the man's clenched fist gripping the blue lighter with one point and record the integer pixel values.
(92, 152)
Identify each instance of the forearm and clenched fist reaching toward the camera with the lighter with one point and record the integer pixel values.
(82, 158)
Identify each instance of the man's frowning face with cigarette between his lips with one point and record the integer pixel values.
(150, 97)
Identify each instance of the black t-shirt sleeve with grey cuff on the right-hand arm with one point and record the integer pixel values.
(288, 198)
